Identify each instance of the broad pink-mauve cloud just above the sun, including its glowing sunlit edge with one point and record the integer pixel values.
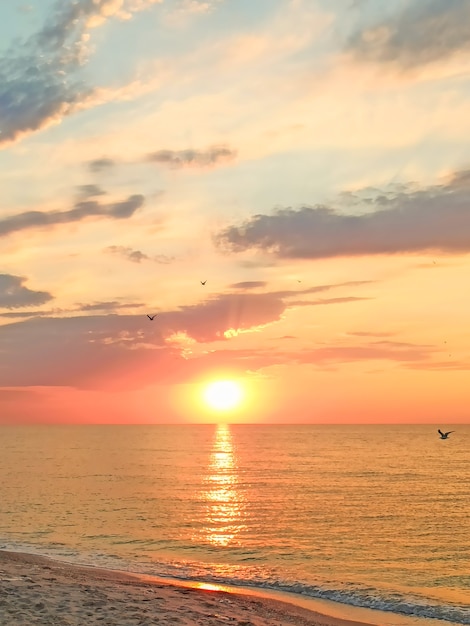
(128, 351)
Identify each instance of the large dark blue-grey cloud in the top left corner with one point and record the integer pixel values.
(40, 79)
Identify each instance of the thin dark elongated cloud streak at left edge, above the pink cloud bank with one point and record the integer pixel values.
(80, 211)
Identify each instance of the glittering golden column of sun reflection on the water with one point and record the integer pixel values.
(225, 507)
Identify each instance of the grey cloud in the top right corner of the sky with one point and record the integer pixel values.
(424, 32)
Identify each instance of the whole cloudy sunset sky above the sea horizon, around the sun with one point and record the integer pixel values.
(308, 159)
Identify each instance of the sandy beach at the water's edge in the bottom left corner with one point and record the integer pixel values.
(38, 590)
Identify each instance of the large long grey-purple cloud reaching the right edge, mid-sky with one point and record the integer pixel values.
(401, 220)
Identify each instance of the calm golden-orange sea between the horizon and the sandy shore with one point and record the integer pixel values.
(367, 516)
